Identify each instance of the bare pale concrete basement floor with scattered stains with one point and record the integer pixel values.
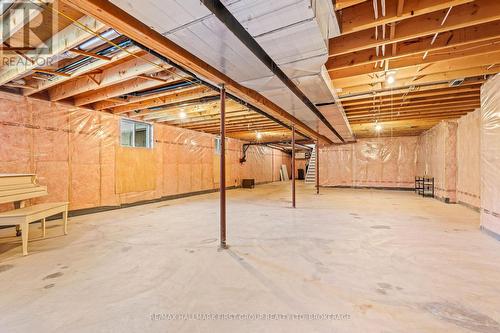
(381, 261)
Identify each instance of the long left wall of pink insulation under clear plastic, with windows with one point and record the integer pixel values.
(76, 153)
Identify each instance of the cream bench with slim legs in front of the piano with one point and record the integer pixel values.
(26, 215)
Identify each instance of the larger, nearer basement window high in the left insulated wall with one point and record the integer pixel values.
(136, 134)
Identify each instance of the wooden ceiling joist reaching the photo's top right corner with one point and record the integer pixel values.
(477, 12)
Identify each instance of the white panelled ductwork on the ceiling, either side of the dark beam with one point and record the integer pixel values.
(293, 32)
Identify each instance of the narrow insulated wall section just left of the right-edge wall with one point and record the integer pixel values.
(468, 157)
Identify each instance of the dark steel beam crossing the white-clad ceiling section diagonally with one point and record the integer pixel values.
(225, 16)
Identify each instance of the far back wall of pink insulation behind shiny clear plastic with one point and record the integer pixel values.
(377, 162)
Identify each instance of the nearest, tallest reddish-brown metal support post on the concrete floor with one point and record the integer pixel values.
(223, 167)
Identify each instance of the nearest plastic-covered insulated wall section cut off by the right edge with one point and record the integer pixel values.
(490, 155)
